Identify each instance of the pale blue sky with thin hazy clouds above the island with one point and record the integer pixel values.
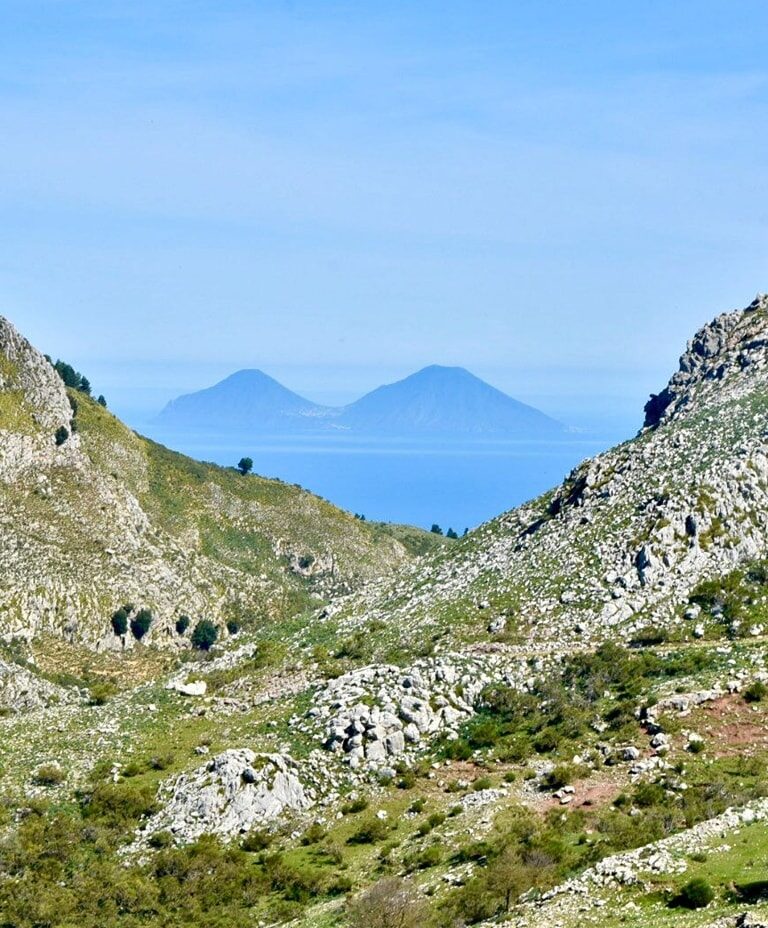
(553, 194)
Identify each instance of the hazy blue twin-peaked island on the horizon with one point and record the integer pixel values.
(433, 402)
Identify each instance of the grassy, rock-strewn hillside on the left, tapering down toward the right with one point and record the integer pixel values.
(94, 517)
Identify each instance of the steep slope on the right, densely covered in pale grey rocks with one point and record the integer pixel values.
(619, 547)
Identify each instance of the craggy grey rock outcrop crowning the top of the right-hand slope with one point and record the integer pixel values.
(733, 343)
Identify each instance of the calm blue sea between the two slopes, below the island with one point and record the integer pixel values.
(455, 485)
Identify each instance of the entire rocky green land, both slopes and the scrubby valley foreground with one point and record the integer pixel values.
(560, 720)
